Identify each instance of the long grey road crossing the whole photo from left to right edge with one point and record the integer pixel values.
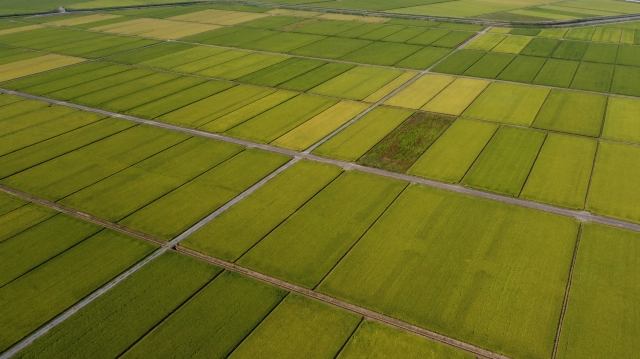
(583, 216)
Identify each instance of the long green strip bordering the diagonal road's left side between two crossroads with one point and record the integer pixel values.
(196, 199)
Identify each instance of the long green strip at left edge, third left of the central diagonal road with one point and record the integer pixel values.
(67, 174)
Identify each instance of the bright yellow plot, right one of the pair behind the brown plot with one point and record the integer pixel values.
(456, 97)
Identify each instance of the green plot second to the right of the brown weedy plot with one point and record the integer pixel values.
(504, 165)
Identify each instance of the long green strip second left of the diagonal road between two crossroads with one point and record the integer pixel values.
(119, 195)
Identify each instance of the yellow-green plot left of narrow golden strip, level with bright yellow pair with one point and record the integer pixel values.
(357, 83)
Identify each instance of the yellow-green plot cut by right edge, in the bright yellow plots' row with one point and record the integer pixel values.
(621, 121)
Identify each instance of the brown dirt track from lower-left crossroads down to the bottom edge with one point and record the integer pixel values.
(366, 313)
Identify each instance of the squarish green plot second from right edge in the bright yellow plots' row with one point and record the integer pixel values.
(572, 112)
